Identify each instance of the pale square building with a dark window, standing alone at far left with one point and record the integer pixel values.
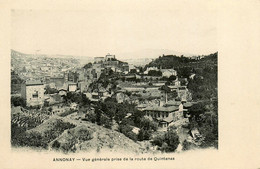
(33, 93)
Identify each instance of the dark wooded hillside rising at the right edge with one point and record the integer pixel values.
(205, 71)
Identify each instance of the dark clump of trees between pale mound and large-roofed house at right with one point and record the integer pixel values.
(106, 112)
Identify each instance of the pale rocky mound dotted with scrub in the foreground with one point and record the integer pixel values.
(69, 134)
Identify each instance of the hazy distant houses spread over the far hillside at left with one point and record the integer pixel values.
(41, 67)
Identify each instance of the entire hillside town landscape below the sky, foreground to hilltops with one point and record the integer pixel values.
(168, 105)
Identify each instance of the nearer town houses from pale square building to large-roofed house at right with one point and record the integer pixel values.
(166, 113)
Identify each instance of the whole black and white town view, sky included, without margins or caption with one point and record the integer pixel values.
(86, 81)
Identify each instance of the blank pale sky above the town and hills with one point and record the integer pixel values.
(119, 28)
